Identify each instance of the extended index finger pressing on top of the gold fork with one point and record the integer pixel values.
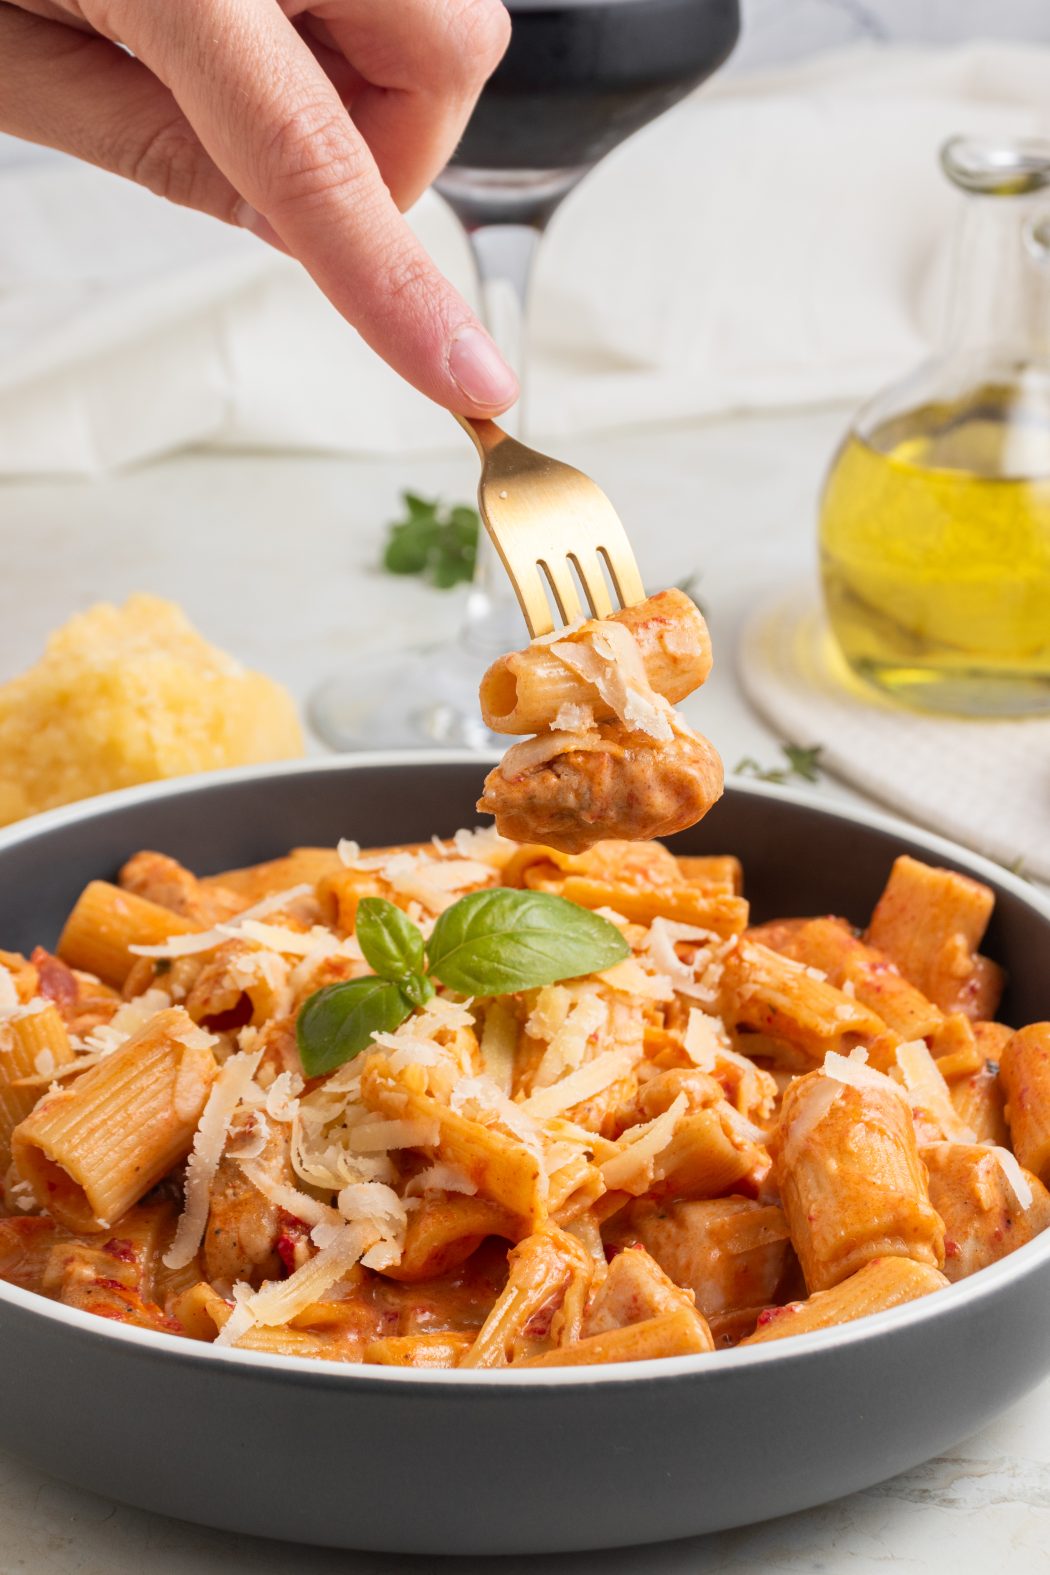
(275, 125)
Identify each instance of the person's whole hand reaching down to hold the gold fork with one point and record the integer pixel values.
(309, 124)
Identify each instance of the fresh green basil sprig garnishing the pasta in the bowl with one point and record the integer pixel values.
(492, 943)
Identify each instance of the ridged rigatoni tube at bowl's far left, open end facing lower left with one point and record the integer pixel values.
(92, 1151)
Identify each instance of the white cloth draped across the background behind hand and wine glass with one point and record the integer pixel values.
(777, 240)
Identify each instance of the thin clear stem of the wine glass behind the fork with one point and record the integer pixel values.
(503, 256)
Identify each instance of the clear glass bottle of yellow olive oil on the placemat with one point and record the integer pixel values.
(936, 514)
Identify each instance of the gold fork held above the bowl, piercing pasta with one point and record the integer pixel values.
(547, 521)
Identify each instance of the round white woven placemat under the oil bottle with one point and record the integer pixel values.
(985, 784)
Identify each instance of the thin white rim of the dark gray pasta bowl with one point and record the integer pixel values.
(327, 1374)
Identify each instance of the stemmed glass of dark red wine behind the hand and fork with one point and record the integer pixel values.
(577, 80)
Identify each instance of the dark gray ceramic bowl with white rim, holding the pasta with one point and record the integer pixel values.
(506, 1462)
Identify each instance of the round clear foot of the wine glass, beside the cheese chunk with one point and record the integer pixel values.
(413, 699)
